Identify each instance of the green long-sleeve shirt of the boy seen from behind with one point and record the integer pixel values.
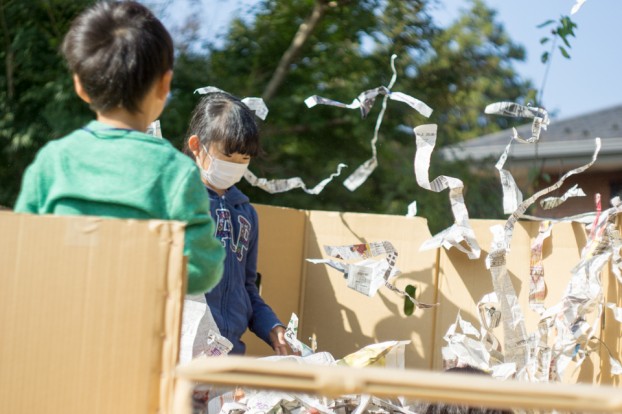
(105, 171)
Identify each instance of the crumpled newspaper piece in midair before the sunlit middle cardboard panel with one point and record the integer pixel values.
(368, 275)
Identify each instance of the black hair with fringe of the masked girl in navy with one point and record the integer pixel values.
(221, 118)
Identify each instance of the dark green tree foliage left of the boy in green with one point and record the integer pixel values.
(37, 102)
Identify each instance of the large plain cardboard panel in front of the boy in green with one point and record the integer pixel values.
(89, 313)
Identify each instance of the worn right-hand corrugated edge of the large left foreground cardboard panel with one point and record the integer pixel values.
(174, 294)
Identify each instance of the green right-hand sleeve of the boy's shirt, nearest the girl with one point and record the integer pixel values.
(205, 252)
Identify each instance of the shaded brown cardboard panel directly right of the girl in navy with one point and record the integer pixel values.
(281, 244)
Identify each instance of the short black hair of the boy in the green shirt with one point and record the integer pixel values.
(118, 50)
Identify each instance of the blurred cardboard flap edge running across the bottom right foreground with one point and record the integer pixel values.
(383, 382)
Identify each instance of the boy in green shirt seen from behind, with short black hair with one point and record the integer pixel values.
(121, 58)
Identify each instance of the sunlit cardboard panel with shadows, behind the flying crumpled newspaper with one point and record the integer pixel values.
(344, 320)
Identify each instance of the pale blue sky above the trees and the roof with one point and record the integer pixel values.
(589, 81)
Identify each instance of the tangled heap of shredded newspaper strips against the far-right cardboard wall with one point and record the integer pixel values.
(566, 331)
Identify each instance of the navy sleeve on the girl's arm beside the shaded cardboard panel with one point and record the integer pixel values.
(264, 319)
